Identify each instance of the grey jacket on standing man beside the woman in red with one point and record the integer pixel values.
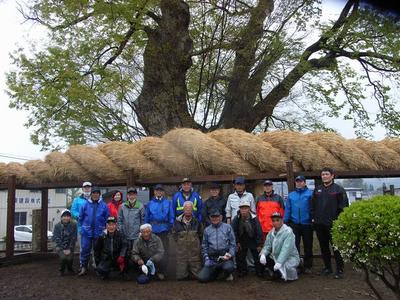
(130, 219)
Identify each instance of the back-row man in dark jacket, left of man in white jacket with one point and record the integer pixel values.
(215, 202)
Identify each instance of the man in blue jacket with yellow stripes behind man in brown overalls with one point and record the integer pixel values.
(186, 193)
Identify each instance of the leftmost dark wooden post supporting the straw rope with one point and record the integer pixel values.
(11, 187)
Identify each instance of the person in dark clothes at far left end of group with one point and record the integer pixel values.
(64, 236)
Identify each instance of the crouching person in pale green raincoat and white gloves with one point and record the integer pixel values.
(279, 253)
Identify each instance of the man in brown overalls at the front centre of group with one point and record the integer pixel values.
(187, 233)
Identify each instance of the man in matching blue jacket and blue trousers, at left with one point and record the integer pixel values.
(92, 219)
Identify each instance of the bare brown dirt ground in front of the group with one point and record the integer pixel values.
(40, 280)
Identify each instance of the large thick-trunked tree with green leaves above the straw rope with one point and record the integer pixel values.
(119, 70)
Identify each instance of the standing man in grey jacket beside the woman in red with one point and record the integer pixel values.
(130, 217)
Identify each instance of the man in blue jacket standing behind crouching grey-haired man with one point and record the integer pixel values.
(160, 215)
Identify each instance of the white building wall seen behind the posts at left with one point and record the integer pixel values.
(27, 201)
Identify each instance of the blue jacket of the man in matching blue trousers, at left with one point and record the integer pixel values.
(92, 218)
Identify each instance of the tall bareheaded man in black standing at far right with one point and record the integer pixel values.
(328, 202)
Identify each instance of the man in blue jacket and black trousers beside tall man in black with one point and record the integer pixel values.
(297, 216)
